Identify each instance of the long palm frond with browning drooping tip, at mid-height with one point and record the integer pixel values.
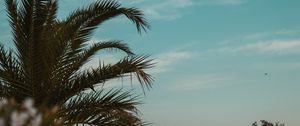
(92, 77)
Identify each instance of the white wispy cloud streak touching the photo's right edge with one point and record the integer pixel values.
(269, 47)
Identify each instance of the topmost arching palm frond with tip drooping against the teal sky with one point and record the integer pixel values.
(84, 21)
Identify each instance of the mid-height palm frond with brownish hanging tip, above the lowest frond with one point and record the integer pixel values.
(136, 64)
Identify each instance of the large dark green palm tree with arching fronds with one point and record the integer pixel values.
(46, 62)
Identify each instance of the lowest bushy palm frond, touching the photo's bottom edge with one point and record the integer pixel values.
(102, 108)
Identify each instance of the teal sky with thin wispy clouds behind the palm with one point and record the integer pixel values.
(219, 62)
